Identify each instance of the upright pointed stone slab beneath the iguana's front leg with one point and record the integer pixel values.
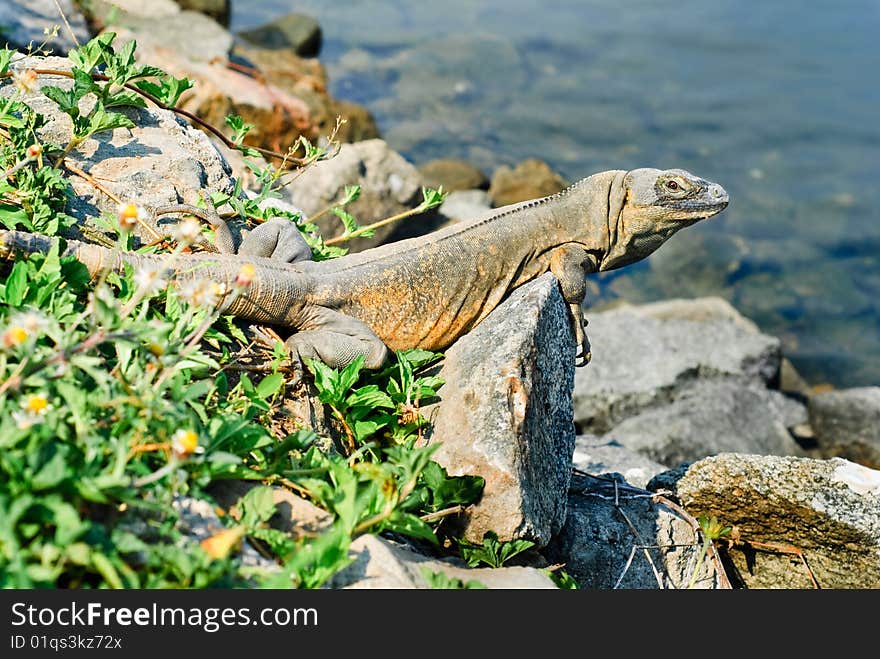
(505, 414)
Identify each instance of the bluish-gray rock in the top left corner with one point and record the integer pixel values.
(24, 21)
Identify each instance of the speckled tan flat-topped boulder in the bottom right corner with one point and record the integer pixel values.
(827, 509)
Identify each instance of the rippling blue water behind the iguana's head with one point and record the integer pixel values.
(777, 101)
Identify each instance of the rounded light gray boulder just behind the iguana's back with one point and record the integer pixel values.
(389, 185)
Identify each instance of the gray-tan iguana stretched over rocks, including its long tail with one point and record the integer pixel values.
(426, 292)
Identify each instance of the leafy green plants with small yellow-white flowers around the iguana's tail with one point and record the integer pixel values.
(115, 395)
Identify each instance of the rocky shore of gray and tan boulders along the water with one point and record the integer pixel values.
(687, 412)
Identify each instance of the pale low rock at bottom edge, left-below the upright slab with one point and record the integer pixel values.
(380, 563)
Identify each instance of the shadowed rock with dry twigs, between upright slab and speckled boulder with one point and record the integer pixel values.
(606, 546)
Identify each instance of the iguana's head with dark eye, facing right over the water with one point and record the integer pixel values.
(646, 206)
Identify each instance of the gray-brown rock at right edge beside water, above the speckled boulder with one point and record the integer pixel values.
(846, 424)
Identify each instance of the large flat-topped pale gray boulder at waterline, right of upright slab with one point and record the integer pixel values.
(643, 356)
